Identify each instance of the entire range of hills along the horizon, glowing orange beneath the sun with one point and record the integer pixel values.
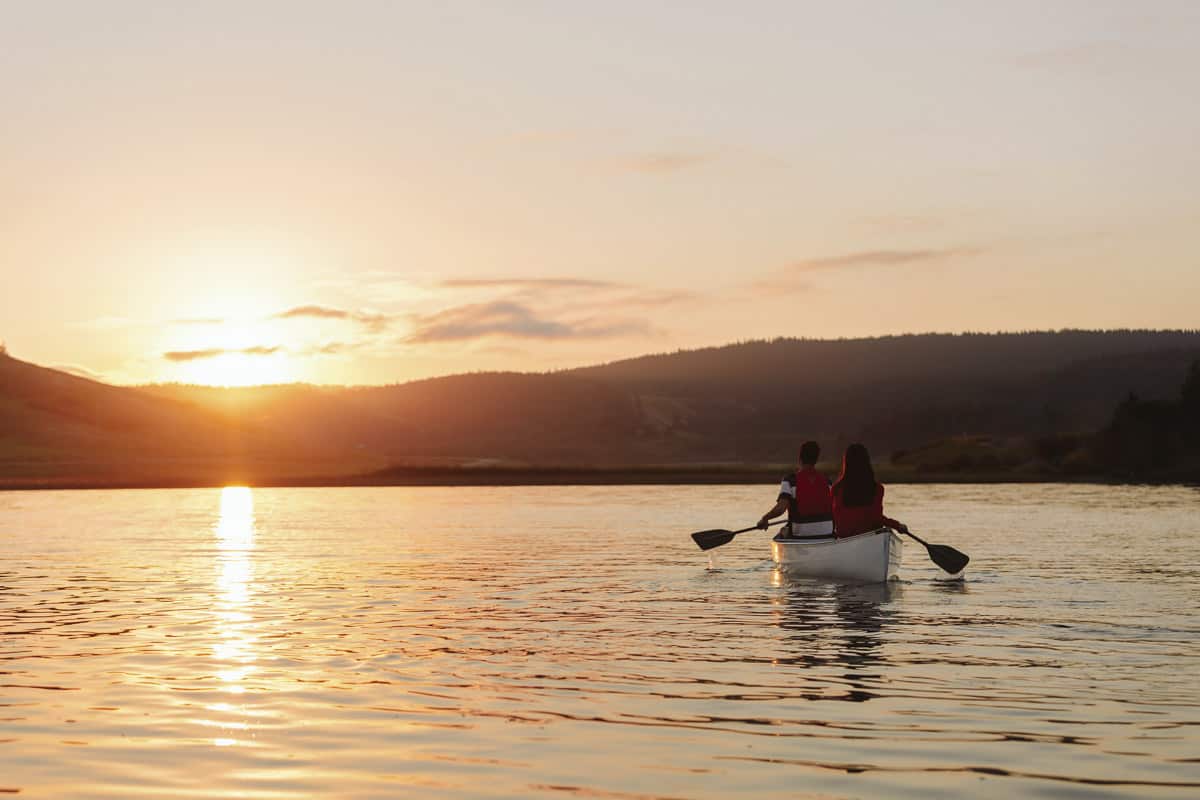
(742, 404)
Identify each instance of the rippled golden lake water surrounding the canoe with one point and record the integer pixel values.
(573, 642)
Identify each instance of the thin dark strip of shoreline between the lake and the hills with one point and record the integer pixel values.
(449, 477)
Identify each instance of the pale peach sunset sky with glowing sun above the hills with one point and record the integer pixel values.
(375, 193)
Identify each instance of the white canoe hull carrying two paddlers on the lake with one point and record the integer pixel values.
(868, 558)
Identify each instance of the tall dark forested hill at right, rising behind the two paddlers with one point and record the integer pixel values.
(755, 401)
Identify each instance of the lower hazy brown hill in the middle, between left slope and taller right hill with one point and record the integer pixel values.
(484, 416)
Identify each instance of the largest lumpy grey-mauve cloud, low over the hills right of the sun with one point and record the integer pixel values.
(514, 321)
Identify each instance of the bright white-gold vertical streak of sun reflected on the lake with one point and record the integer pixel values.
(235, 647)
